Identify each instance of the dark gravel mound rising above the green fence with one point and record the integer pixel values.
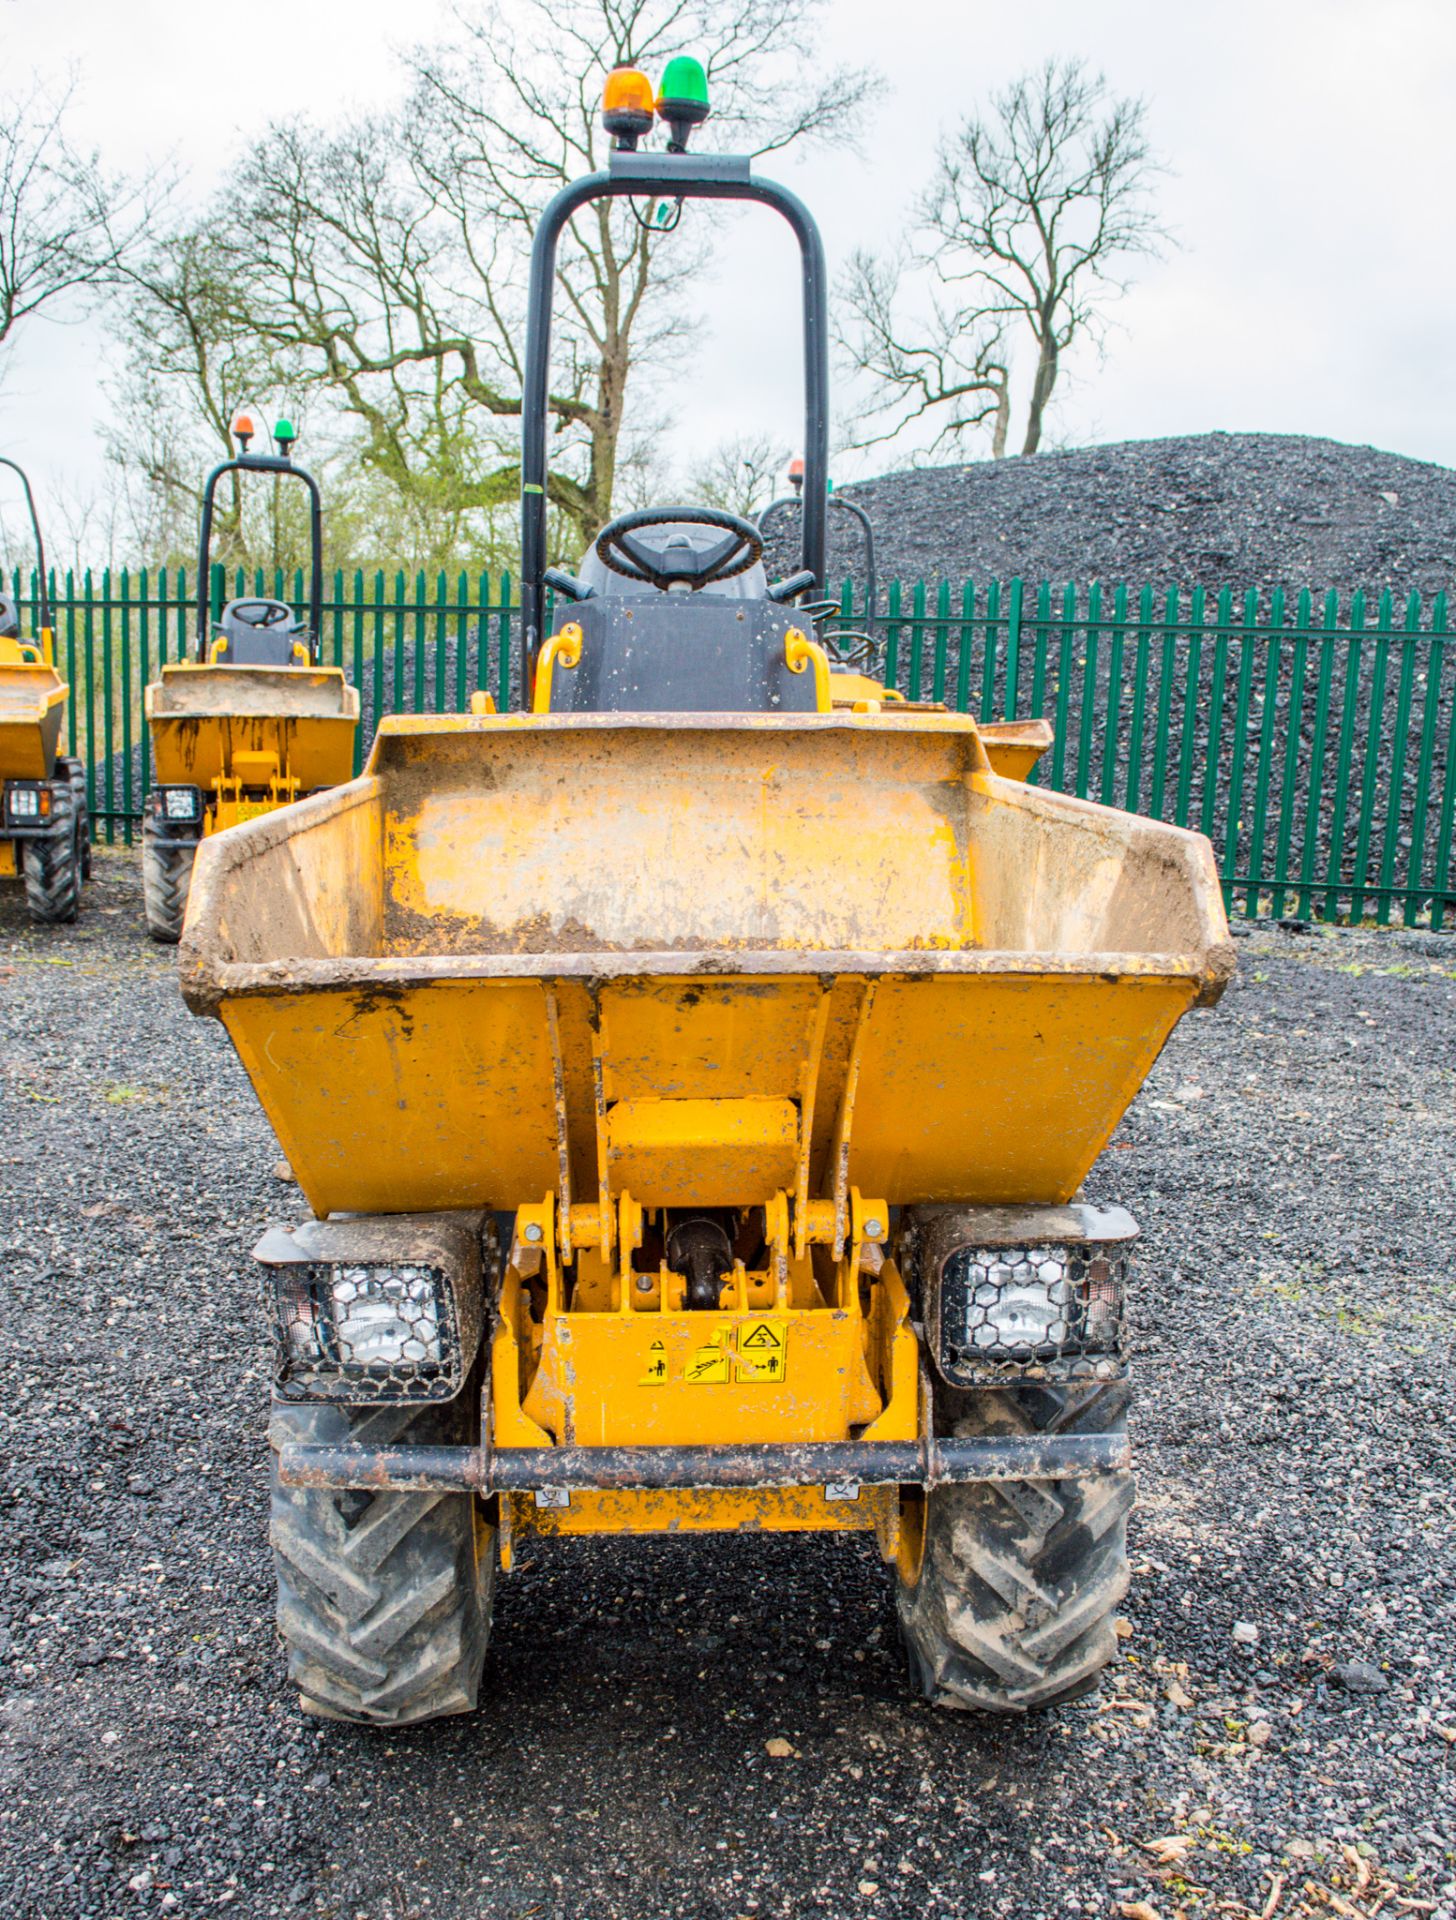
(1205, 510)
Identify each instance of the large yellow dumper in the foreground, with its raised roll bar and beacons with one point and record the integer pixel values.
(692, 1084)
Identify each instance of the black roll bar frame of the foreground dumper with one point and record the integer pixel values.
(671, 178)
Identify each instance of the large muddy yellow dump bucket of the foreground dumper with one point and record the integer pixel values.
(696, 955)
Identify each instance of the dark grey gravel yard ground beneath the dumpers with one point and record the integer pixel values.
(696, 1729)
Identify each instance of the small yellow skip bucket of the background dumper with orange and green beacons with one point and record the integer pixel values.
(206, 721)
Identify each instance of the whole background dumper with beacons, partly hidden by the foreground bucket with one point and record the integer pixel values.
(249, 725)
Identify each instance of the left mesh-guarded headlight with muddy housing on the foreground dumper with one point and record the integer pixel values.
(368, 1328)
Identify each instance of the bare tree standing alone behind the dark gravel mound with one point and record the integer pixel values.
(1029, 229)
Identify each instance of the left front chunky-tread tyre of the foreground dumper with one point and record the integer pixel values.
(383, 1598)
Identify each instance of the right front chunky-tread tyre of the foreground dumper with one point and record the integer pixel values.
(1019, 1583)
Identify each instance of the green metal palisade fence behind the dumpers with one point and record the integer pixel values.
(1311, 738)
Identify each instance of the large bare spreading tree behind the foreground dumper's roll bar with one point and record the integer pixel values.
(385, 264)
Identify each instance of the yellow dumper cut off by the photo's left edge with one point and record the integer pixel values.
(45, 828)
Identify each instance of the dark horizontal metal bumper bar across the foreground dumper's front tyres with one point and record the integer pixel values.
(929, 1462)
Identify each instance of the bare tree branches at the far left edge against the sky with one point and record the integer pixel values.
(64, 224)
